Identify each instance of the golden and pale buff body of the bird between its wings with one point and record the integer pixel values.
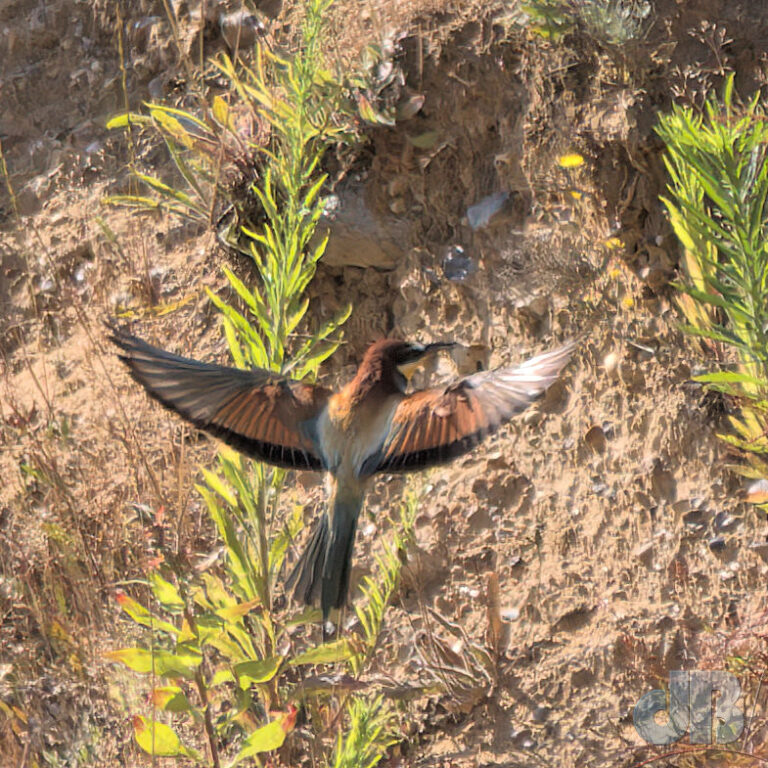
(348, 434)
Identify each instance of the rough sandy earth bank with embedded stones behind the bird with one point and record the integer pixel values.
(605, 515)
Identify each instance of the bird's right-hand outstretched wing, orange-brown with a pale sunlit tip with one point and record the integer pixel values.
(433, 426)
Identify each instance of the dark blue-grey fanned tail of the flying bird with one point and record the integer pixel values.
(324, 567)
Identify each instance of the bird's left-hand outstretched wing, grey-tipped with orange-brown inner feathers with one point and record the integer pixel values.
(260, 413)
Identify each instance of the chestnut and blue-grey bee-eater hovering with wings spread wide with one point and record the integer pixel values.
(372, 425)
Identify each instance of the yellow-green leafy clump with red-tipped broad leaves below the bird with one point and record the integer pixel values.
(207, 655)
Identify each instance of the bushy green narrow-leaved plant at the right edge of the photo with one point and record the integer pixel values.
(717, 207)
